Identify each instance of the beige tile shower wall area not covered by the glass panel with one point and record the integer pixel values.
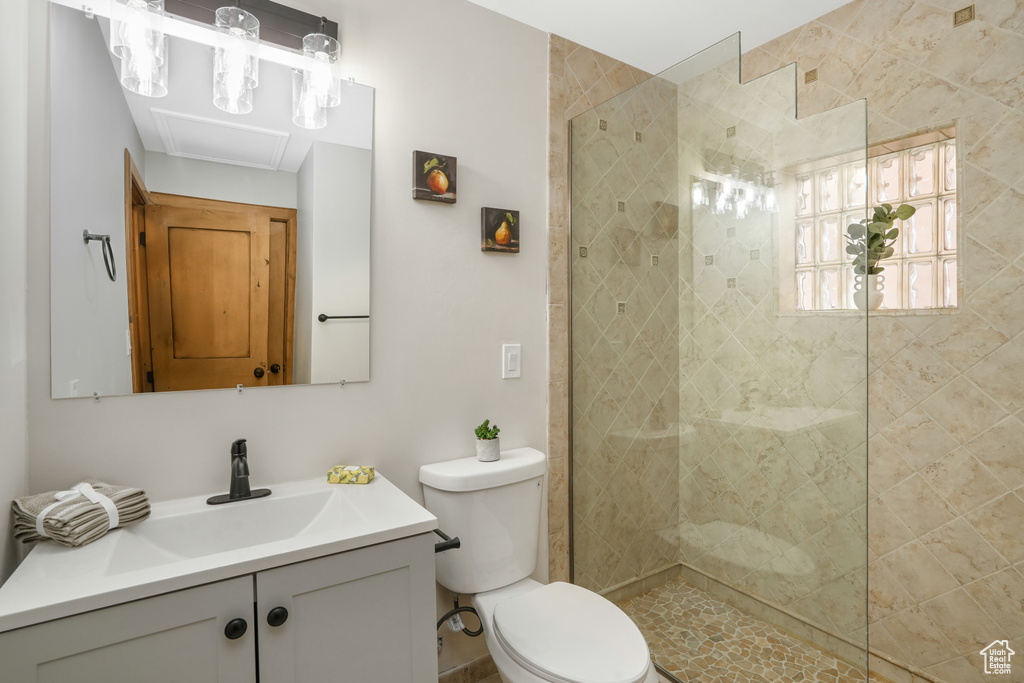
(947, 451)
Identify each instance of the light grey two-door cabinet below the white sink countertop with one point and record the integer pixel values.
(362, 616)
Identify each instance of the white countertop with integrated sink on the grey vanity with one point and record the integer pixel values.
(187, 543)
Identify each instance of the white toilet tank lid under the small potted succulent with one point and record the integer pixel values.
(472, 475)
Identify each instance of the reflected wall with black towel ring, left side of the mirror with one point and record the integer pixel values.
(92, 130)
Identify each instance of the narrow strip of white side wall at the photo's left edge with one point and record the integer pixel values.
(14, 234)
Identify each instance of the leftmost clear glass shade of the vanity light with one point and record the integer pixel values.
(138, 39)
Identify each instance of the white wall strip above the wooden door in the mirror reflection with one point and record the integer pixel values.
(228, 183)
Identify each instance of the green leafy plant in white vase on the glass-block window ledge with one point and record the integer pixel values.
(872, 240)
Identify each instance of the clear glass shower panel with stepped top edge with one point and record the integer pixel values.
(719, 372)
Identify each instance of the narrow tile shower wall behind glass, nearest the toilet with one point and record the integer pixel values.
(624, 254)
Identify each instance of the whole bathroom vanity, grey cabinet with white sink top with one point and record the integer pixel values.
(333, 583)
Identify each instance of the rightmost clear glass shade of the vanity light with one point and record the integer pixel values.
(318, 86)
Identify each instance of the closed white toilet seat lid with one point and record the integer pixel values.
(567, 634)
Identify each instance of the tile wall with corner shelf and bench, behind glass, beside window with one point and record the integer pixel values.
(774, 459)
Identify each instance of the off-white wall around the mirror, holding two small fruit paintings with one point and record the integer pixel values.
(450, 77)
